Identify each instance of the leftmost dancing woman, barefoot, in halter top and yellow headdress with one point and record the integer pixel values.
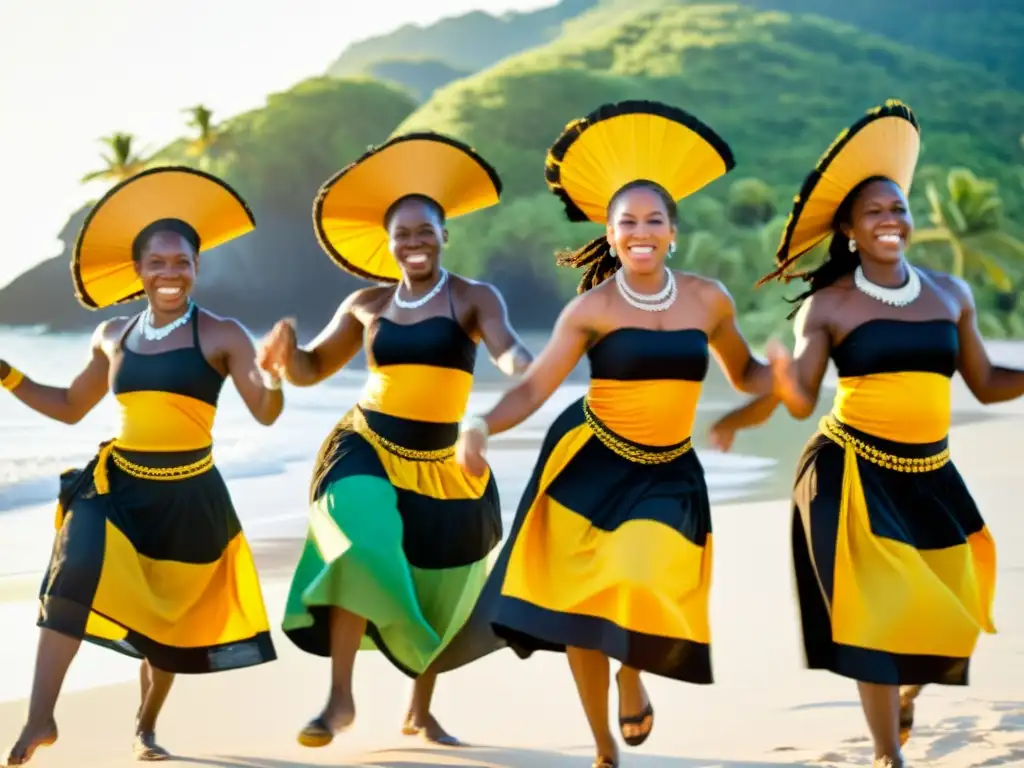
(150, 559)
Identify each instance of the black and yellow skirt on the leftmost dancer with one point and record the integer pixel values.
(150, 561)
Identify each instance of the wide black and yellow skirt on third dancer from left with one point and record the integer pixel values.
(611, 551)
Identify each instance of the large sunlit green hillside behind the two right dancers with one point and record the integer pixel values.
(778, 88)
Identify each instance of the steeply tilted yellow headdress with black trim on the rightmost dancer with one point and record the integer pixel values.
(884, 144)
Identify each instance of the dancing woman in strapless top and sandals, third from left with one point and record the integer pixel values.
(611, 556)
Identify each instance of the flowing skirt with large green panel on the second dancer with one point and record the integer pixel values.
(399, 535)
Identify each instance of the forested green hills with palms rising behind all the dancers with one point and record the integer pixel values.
(778, 84)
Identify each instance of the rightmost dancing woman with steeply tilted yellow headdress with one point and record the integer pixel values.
(895, 569)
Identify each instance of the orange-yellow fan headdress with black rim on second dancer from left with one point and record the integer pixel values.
(349, 214)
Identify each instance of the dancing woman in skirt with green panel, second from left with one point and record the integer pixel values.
(399, 534)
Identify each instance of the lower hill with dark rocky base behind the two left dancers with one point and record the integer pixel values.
(277, 157)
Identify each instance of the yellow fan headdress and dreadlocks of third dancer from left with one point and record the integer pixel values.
(622, 144)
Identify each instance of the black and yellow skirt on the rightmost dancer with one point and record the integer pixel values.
(894, 566)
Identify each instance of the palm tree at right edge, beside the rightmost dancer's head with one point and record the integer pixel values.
(967, 220)
